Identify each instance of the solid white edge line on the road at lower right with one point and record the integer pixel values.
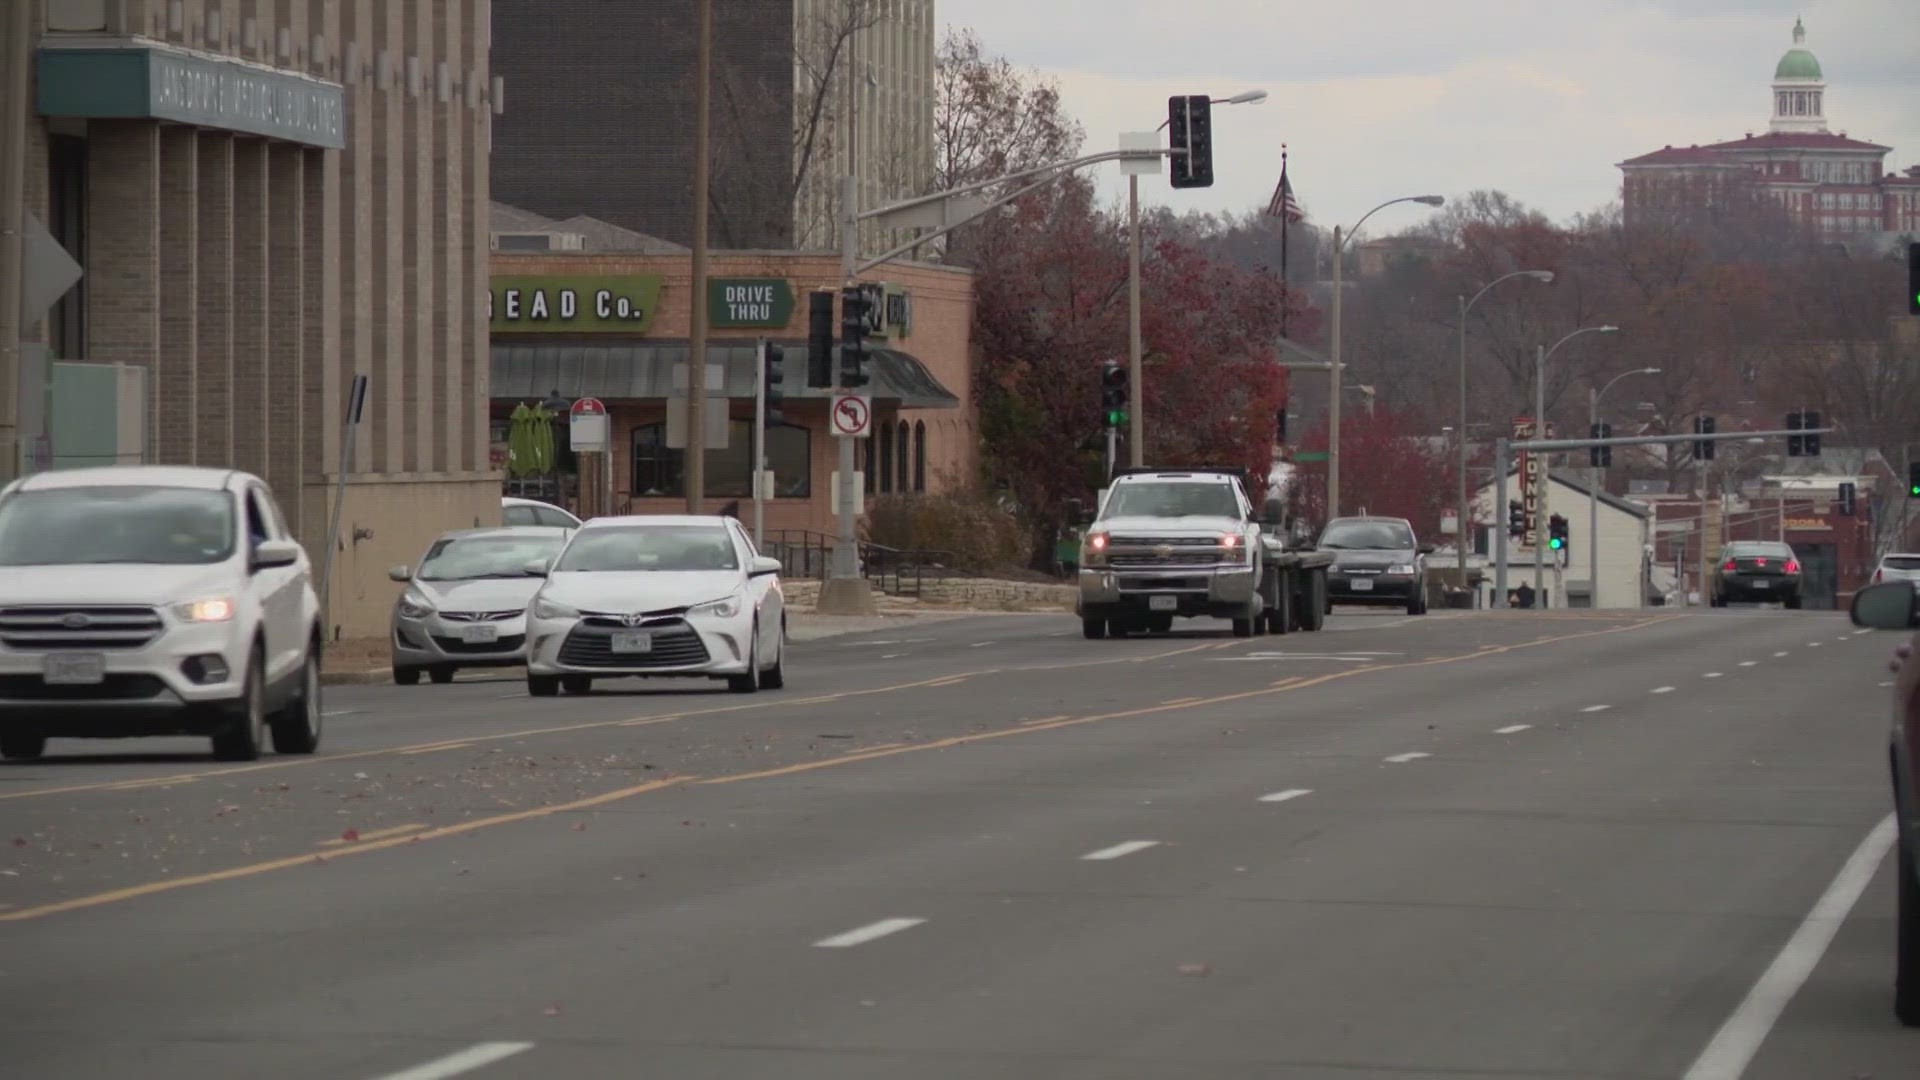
(1740, 1037)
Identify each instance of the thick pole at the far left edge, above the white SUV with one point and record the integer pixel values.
(14, 95)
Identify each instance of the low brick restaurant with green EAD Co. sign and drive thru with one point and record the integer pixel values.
(926, 431)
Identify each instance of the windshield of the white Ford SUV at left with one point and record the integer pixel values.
(66, 528)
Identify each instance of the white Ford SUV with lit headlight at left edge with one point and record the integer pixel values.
(155, 601)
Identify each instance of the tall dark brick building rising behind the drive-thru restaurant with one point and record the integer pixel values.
(579, 70)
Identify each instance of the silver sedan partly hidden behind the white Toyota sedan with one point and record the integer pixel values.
(466, 604)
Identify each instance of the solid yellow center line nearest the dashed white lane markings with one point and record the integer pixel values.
(871, 754)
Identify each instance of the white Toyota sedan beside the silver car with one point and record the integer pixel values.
(656, 599)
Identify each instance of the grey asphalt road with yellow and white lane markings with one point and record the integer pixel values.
(1464, 847)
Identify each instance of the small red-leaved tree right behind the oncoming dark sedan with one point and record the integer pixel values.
(1391, 466)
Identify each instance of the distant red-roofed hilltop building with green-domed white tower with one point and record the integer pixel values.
(1833, 184)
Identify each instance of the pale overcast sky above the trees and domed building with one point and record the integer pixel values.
(1383, 99)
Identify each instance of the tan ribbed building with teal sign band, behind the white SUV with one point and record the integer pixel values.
(270, 199)
